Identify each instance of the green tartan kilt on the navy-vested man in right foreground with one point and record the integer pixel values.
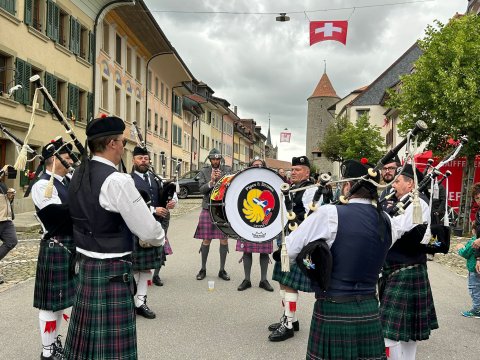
(346, 331)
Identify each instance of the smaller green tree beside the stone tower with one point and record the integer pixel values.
(344, 140)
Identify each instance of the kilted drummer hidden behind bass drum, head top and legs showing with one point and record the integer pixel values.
(247, 247)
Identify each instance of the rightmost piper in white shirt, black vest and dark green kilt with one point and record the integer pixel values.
(406, 303)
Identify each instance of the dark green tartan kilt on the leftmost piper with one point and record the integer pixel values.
(55, 278)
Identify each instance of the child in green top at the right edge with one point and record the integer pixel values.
(468, 252)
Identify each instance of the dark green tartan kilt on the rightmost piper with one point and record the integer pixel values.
(406, 306)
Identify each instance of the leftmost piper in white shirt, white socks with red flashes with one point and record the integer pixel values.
(54, 279)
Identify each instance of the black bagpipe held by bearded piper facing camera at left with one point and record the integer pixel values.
(167, 189)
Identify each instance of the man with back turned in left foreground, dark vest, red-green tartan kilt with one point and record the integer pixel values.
(106, 208)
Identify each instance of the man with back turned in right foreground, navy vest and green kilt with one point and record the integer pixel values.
(345, 322)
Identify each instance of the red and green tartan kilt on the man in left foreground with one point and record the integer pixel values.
(102, 323)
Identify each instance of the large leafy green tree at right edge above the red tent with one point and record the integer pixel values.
(443, 90)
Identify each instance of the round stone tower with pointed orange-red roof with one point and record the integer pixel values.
(318, 119)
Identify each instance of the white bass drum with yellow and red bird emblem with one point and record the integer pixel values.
(247, 205)
